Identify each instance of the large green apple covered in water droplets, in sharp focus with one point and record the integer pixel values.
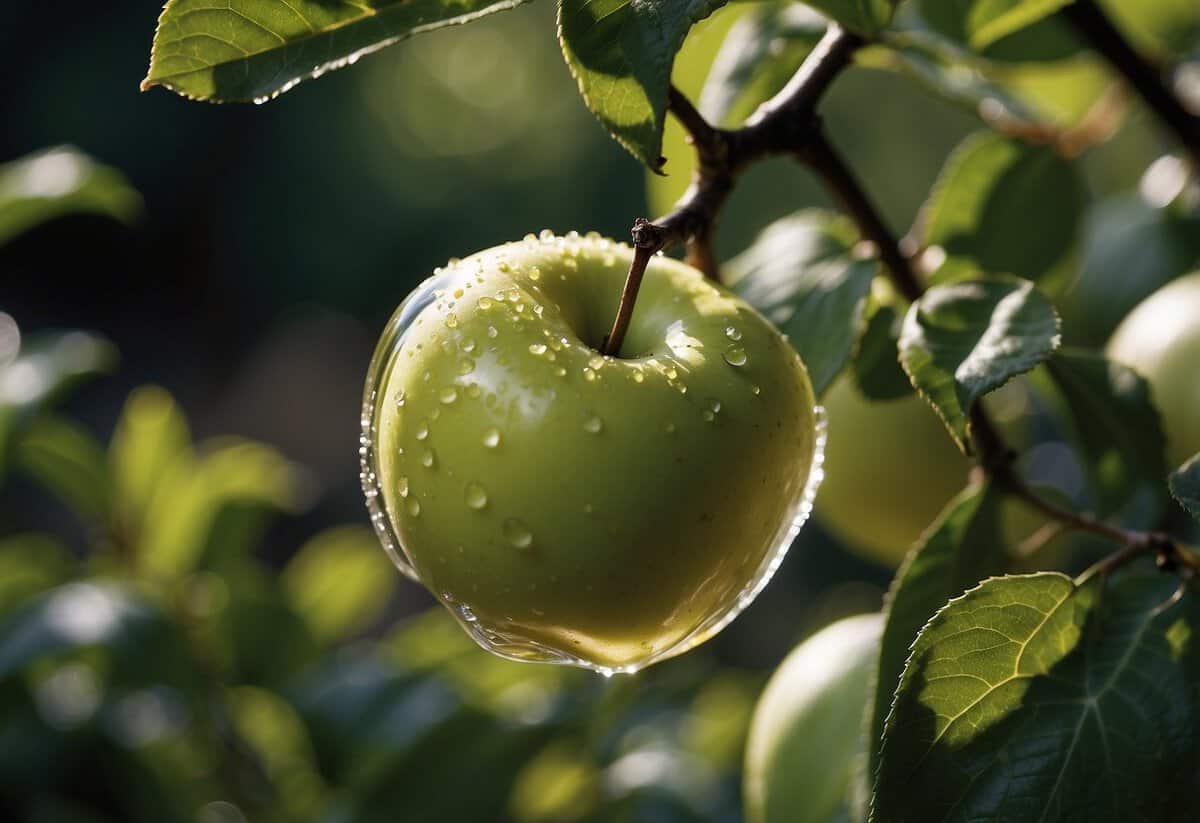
(607, 512)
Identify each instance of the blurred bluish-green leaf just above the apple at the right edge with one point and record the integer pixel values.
(1131, 250)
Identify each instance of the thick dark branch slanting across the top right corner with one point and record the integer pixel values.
(1099, 32)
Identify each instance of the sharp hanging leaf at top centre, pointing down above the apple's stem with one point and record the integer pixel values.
(621, 53)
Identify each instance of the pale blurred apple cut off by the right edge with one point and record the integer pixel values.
(1161, 340)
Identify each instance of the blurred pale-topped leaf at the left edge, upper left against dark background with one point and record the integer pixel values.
(62, 182)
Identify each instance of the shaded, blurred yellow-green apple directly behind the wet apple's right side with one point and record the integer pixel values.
(891, 468)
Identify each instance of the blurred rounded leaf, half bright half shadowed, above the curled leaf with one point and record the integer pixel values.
(1010, 207)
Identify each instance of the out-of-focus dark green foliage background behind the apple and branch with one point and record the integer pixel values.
(196, 622)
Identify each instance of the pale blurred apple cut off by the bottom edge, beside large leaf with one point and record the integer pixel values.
(807, 746)
